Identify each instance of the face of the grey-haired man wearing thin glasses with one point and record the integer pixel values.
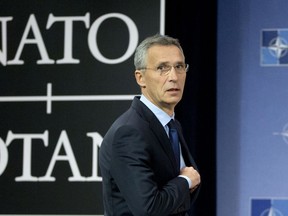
(165, 91)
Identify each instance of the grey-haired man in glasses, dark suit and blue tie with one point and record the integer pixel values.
(141, 174)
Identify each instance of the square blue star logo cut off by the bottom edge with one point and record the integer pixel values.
(269, 207)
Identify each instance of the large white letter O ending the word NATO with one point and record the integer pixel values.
(133, 38)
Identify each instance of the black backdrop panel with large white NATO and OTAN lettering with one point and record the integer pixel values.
(66, 71)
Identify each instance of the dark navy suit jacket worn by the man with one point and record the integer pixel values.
(138, 167)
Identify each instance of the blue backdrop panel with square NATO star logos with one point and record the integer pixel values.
(252, 147)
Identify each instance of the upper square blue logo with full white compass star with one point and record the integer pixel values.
(274, 47)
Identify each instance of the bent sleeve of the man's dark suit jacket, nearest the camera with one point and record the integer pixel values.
(132, 172)
